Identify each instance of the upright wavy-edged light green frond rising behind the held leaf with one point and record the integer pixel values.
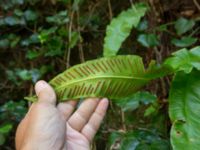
(120, 28)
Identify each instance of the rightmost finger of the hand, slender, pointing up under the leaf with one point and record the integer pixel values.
(90, 129)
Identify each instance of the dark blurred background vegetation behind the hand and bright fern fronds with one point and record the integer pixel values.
(41, 38)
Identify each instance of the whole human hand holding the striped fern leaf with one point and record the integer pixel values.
(50, 127)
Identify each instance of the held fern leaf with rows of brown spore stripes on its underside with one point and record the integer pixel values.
(113, 77)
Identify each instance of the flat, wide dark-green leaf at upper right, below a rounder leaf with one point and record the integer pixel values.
(184, 41)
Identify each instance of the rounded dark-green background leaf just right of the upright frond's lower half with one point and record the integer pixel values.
(148, 40)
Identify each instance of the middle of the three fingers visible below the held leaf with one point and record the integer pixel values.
(82, 115)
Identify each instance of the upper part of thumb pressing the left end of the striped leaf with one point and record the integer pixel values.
(45, 92)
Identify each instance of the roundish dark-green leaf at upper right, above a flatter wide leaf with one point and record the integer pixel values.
(183, 25)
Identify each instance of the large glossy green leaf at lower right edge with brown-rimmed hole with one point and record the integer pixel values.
(184, 110)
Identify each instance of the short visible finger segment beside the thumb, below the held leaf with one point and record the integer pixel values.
(66, 108)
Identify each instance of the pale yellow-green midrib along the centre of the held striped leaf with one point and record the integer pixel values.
(101, 77)
